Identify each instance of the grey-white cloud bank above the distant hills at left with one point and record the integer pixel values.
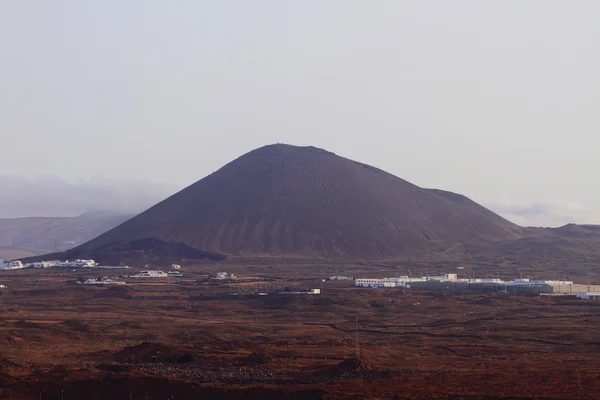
(50, 196)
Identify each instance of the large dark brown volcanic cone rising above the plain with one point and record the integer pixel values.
(287, 200)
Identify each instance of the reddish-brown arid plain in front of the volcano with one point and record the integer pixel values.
(191, 338)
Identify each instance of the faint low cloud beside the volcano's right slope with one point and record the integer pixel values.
(547, 214)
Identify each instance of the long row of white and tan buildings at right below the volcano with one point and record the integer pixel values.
(451, 281)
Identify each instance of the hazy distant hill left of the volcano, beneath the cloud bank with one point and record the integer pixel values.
(25, 237)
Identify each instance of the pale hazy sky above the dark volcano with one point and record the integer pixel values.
(497, 100)
